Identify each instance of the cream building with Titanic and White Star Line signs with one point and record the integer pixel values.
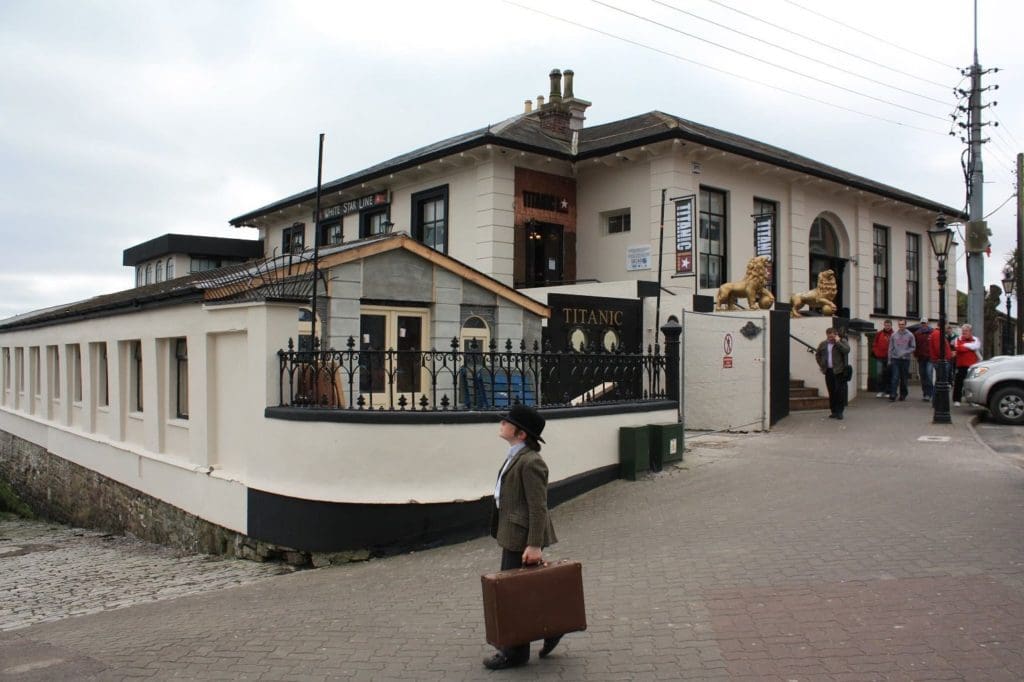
(164, 410)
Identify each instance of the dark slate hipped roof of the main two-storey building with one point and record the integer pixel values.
(524, 133)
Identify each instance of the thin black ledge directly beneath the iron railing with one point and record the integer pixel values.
(289, 413)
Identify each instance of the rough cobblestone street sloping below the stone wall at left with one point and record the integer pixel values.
(51, 572)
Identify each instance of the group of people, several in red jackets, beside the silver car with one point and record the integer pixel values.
(893, 351)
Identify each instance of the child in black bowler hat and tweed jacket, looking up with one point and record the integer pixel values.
(520, 521)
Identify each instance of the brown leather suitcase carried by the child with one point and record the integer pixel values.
(527, 605)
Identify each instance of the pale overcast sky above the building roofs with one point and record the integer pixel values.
(121, 121)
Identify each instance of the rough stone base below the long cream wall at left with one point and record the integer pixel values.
(61, 491)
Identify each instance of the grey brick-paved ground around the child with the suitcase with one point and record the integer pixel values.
(882, 547)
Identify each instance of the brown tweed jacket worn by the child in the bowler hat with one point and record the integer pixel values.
(523, 519)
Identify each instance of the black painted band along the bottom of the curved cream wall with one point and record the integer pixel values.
(313, 526)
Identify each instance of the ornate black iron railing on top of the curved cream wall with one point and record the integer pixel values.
(466, 379)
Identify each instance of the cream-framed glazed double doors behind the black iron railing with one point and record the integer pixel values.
(391, 364)
